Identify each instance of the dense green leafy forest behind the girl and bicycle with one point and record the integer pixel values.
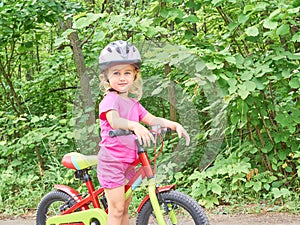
(227, 69)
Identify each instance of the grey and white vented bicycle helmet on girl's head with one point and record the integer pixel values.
(119, 52)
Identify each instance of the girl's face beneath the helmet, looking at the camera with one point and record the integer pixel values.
(121, 77)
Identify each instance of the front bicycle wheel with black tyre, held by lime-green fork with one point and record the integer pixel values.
(178, 209)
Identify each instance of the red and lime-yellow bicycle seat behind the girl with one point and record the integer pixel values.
(77, 161)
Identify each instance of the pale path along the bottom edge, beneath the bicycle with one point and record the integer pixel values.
(252, 219)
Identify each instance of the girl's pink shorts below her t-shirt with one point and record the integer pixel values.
(112, 174)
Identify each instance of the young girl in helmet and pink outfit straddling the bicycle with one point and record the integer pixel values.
(119, 64)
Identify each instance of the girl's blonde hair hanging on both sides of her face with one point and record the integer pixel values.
(135, 90)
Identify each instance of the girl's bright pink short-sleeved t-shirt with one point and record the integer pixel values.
(121, 148)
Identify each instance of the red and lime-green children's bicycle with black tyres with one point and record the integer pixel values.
(163, 204)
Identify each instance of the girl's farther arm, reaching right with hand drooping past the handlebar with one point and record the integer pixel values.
(151, 120)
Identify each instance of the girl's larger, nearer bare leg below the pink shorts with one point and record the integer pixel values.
(116, 205)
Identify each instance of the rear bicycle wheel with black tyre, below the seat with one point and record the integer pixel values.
(52, 204)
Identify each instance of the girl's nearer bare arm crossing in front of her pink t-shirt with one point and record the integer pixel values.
(117, 122)
